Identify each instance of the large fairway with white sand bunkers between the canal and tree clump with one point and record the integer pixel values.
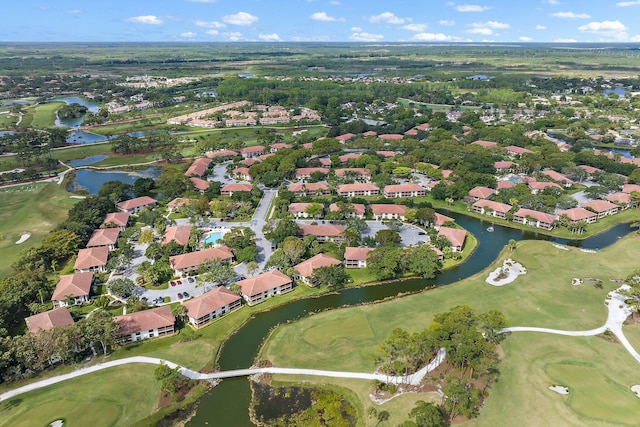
(346, 339)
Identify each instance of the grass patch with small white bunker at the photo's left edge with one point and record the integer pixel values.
(30, 208)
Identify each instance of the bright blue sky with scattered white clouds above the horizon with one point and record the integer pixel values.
(322, 20)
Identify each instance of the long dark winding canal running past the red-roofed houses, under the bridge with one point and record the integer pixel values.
(227, 403)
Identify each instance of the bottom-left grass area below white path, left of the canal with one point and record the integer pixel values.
(113, 397)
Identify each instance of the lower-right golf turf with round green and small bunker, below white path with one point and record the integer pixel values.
(599, 375)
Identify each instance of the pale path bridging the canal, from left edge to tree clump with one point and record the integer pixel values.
(411, 379)
